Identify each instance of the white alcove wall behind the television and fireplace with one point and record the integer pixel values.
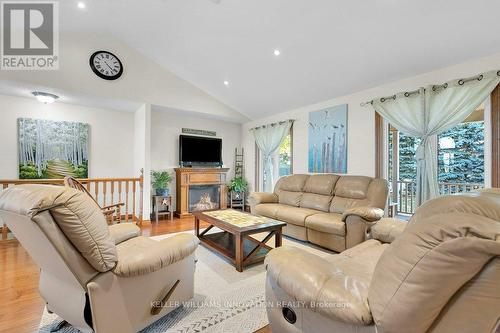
(166, 126)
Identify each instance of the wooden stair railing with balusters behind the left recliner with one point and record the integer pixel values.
(105, 191)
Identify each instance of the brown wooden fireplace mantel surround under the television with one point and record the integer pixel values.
(186, 177)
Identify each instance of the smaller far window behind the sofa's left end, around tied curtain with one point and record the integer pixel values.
(282, 163)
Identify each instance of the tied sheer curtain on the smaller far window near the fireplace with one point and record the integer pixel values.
(269, 138)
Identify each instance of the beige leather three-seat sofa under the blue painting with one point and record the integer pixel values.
(328, 210)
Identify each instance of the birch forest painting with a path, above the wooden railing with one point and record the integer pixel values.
(52, 149)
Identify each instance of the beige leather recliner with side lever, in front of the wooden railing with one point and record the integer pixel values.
(98, 279)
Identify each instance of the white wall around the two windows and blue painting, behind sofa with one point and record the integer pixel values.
(361, 120)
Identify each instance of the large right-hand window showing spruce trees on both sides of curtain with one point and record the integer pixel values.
(460, 159)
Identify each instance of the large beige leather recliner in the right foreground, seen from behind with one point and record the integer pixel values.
(440, 275)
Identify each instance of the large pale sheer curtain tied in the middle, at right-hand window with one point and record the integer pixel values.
(429, 111)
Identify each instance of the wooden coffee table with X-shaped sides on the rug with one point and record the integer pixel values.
(234, 241)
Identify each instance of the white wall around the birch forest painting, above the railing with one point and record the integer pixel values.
(111, 135)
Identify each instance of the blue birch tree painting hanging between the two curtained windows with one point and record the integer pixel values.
(328, 140)
